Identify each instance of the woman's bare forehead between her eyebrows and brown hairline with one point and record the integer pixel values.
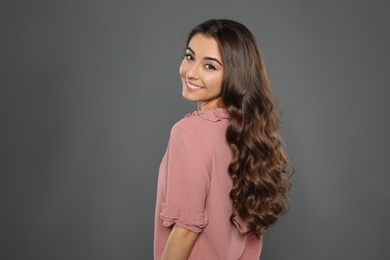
(204, 46)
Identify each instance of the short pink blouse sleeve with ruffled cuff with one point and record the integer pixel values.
(188, 165)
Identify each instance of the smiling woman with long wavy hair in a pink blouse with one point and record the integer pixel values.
(222, 181)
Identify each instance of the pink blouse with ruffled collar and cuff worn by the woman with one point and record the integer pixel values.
(193, 190)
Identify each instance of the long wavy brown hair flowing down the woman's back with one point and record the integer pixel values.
(260, 167)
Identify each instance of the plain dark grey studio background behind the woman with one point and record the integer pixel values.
(90, 90)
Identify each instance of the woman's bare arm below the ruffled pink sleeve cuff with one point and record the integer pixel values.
(179, 244)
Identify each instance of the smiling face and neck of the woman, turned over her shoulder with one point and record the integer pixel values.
(201, 72)
